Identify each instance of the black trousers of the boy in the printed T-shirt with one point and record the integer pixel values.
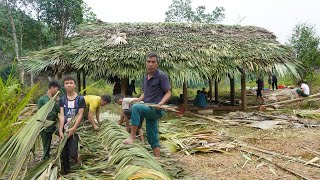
(70, 150)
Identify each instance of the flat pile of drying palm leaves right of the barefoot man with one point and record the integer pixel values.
(195, 136)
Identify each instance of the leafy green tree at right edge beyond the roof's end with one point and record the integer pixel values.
(305, 43)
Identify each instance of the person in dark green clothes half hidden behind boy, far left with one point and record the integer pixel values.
(46, 134)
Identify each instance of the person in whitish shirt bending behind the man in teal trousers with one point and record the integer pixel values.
(126, 113)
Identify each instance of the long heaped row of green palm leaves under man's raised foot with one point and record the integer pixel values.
(104, 156)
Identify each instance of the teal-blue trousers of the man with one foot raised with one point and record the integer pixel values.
(152, 116)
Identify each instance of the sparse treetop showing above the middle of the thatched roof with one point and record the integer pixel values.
(181, 11)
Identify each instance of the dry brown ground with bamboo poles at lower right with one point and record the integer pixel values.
(236, 163)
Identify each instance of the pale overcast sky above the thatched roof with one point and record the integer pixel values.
(278, 16)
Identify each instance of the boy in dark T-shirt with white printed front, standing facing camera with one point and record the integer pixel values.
(70, 105)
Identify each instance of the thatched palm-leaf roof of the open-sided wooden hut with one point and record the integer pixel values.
(187, 51)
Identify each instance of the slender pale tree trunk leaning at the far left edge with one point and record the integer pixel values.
(15, 41)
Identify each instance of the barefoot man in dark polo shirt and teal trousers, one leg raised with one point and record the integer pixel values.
(156, 90)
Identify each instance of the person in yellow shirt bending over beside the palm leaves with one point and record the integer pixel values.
(94, 103)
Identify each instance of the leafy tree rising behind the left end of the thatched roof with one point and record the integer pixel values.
(62, 16)
